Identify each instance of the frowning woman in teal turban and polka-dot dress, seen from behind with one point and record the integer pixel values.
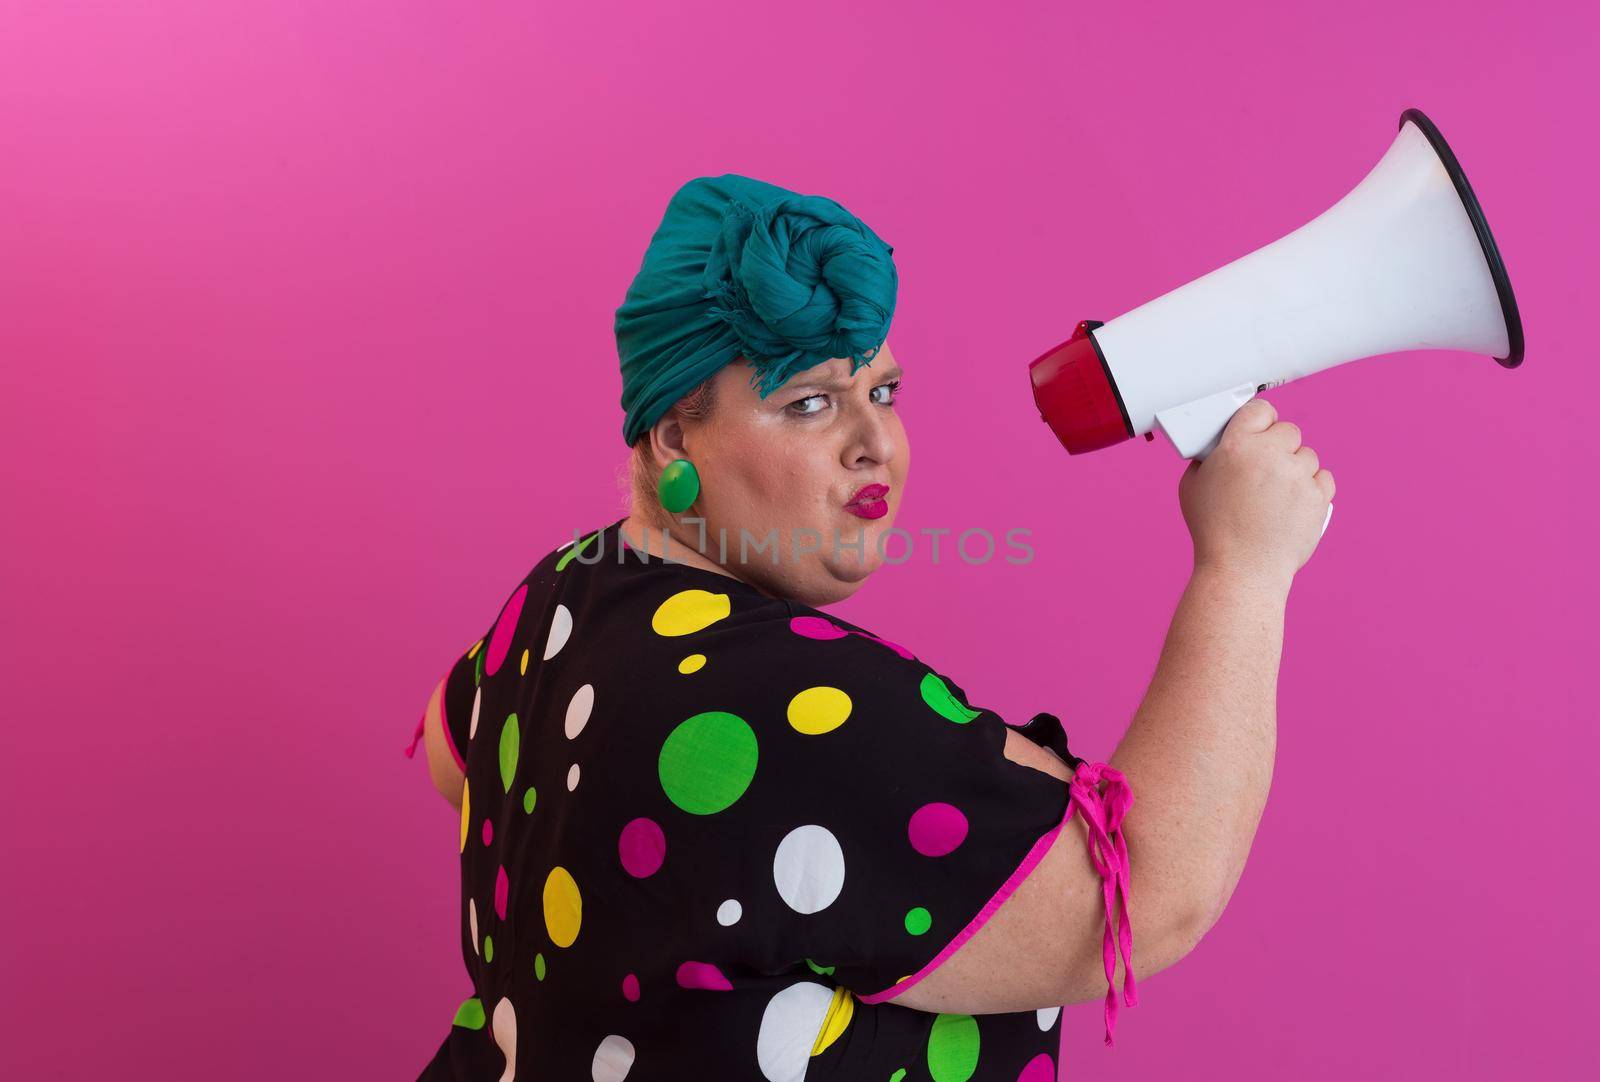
(710, 832)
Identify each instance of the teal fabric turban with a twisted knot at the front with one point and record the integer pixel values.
(740, 268)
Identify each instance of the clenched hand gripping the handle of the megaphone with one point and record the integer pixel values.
(1258, 503)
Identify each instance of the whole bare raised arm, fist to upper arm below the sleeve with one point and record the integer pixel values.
(1198, 755)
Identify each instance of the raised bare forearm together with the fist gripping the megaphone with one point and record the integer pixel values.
(1199, 751)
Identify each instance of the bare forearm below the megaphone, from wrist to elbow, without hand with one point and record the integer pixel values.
(1199, 751)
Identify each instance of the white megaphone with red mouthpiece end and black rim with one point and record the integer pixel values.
(1404, 262)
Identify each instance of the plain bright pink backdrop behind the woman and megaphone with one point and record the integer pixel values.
(306, 356)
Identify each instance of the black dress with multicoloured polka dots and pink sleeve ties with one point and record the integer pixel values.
(710, 835)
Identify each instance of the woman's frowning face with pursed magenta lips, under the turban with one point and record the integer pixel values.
(791, 463)
